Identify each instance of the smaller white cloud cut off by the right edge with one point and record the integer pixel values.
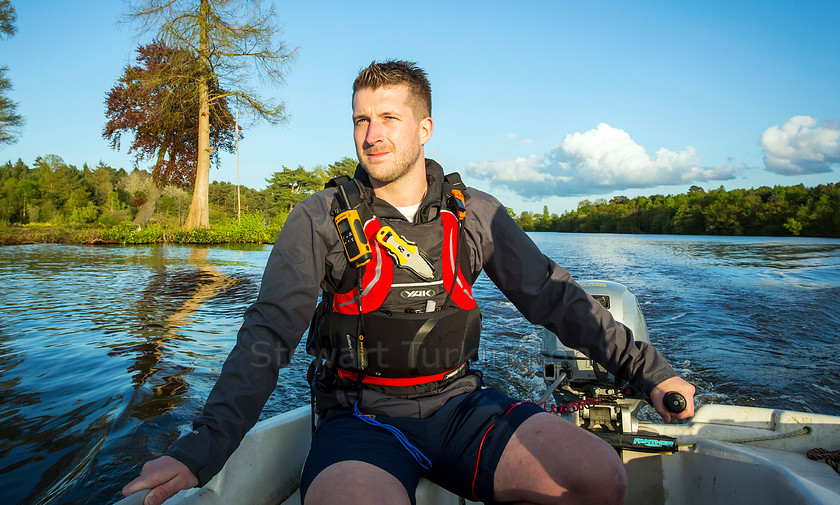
(801, 147)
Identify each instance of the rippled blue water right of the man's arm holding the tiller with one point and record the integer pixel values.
(753, 321)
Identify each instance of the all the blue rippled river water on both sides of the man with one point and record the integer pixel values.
(107, 352)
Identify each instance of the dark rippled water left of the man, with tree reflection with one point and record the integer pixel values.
(62, 402)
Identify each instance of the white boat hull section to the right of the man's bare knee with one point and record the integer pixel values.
(739, 455)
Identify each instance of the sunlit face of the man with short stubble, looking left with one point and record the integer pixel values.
(389, 138)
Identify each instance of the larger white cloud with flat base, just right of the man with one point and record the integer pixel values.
(600, 160)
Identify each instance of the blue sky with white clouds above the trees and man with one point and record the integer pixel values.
(540, 103)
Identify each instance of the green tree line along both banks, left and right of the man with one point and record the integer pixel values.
(55, 193)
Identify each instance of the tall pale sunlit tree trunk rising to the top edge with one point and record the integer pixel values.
(199, 216)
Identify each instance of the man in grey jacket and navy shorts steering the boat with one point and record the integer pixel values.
(394, 253)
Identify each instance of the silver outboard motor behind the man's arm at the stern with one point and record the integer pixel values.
(586, 394)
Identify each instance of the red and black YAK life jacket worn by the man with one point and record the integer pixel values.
(403, 330)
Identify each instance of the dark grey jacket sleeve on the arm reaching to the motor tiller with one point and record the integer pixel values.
(546, 295)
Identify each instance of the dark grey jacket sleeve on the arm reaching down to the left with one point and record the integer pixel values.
(271, 330)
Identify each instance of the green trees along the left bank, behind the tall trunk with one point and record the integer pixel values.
(55, 193)
